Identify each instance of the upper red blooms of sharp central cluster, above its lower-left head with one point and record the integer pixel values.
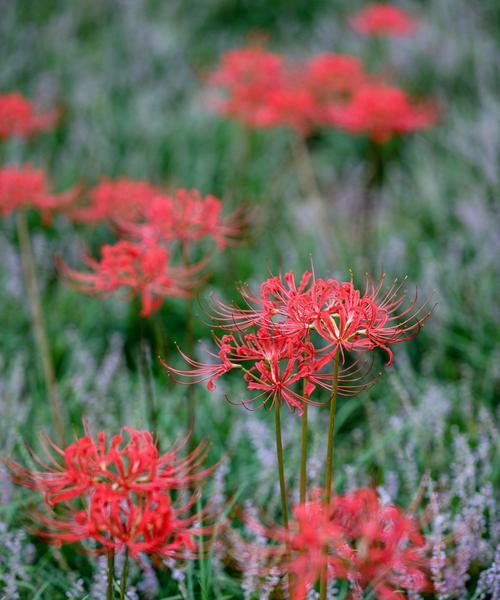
(348, 318)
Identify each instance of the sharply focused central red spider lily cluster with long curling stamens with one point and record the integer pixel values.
(289, 333)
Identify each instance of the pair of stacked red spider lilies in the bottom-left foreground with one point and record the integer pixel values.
(117, 493)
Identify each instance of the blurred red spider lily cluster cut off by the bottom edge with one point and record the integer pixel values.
(357, 539)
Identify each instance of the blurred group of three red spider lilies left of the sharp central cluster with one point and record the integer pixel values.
(162, 228)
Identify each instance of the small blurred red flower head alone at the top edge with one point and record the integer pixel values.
(383, 19)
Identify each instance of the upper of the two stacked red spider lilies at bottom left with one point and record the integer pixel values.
(128, 462)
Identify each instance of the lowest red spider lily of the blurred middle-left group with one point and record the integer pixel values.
(141, 268)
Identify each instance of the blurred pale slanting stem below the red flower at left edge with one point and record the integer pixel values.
(38, 322)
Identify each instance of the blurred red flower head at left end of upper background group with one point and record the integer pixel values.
(245, 78)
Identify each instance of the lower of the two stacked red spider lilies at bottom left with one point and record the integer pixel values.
(148, 523)
